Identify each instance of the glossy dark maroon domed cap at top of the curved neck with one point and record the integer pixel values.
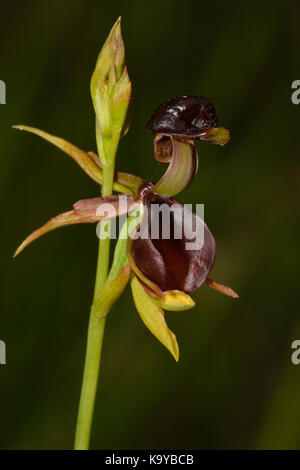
(185, 116)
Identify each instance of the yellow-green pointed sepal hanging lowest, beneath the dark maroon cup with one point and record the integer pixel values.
(154, 318)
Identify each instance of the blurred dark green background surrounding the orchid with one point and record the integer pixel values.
(235, 386)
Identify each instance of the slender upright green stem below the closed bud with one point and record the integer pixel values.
(96, 322)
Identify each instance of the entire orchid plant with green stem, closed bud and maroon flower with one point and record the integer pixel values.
(164, 270)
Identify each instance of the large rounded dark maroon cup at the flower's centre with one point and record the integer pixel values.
(167, 262)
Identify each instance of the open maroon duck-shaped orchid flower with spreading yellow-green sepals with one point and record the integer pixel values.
(164, 271)
